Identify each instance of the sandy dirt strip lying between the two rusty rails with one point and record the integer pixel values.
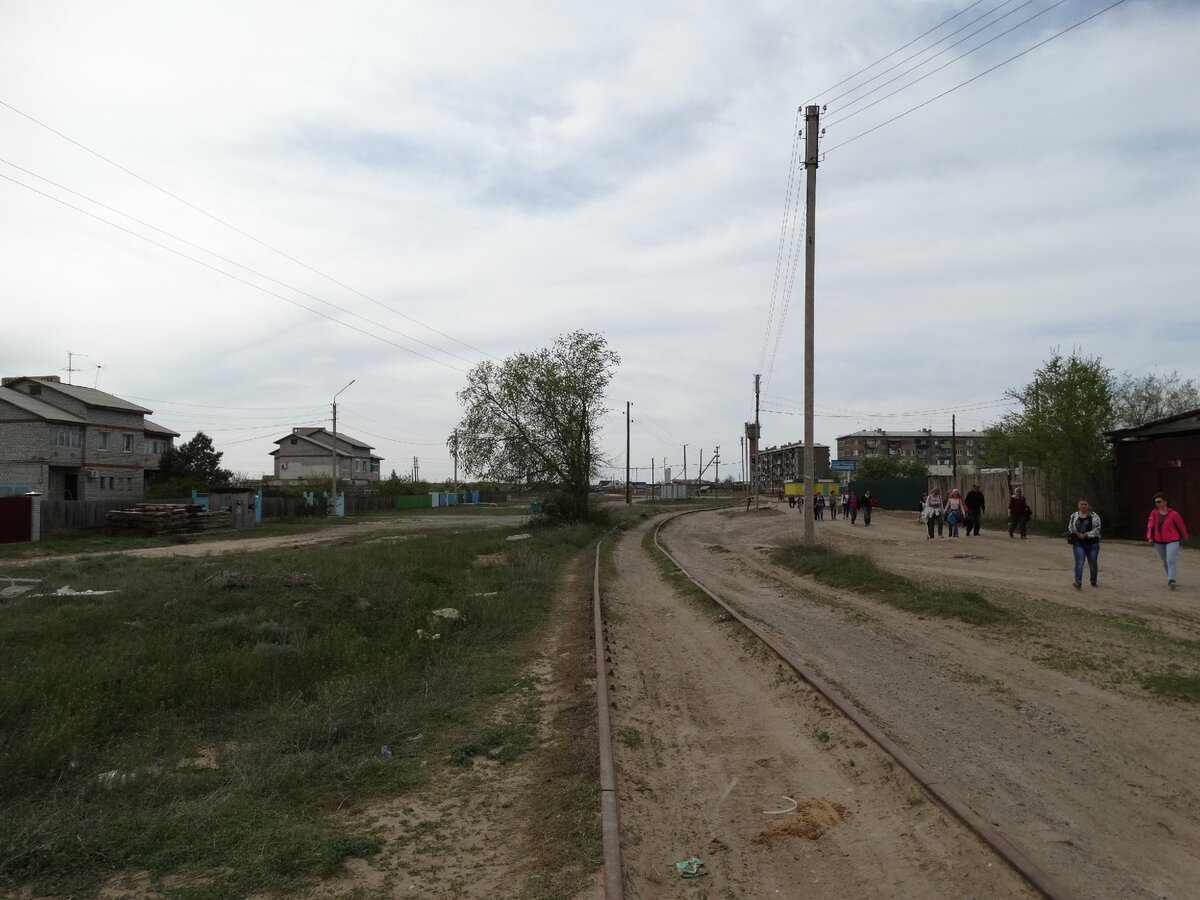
(712, 734)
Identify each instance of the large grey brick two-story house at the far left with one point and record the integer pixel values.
(76, 443)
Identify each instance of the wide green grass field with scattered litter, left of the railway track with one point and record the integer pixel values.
(217, 723)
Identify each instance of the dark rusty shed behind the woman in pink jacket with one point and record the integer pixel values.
(1163, 455)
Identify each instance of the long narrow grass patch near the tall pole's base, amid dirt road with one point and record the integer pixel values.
(860, 574)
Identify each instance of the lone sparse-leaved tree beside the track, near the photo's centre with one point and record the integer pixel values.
(533, 419)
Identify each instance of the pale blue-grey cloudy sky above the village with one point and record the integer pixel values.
(230, 211)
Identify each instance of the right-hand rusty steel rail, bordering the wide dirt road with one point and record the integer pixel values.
(1030, 872)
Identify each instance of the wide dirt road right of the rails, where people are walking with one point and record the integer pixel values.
(1040, 728)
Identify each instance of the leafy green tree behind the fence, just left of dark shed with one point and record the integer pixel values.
(1060, 429)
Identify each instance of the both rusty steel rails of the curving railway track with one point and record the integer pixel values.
(1039, 880)
